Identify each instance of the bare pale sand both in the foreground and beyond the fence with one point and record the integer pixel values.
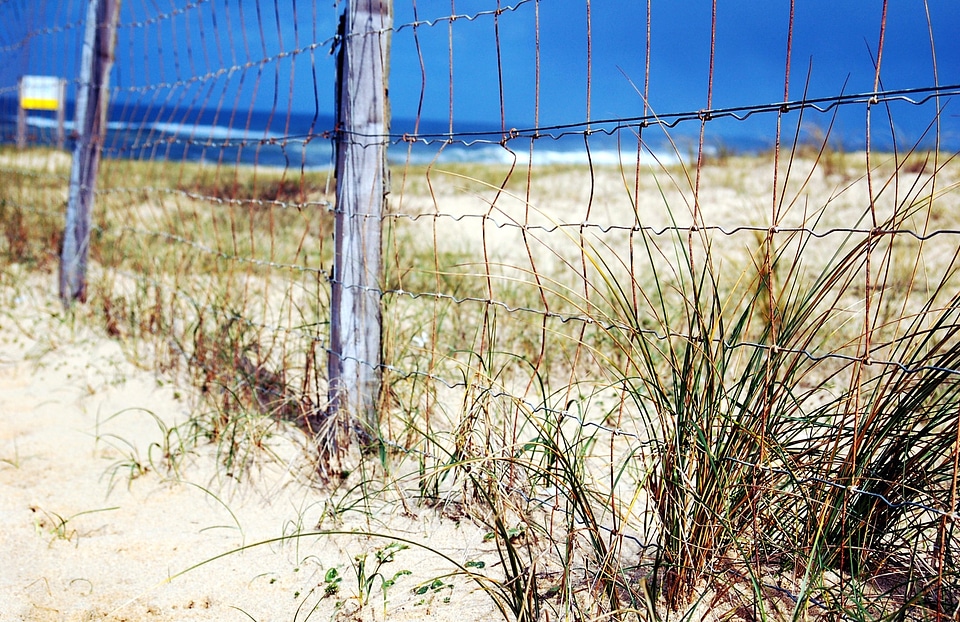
(95, 528)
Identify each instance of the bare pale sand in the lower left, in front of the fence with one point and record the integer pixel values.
(83, 541)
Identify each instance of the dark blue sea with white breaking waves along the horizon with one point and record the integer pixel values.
(304, 141)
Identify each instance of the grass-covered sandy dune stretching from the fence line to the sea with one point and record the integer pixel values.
(662, 399)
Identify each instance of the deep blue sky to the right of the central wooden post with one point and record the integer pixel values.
(835, 42)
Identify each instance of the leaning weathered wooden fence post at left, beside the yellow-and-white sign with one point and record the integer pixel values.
(91, 122)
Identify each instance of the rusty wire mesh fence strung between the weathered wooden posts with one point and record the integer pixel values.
(710, 320)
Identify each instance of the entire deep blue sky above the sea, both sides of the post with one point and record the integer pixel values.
(175, 43)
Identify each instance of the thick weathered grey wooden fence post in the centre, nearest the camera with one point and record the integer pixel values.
(355, 329)
